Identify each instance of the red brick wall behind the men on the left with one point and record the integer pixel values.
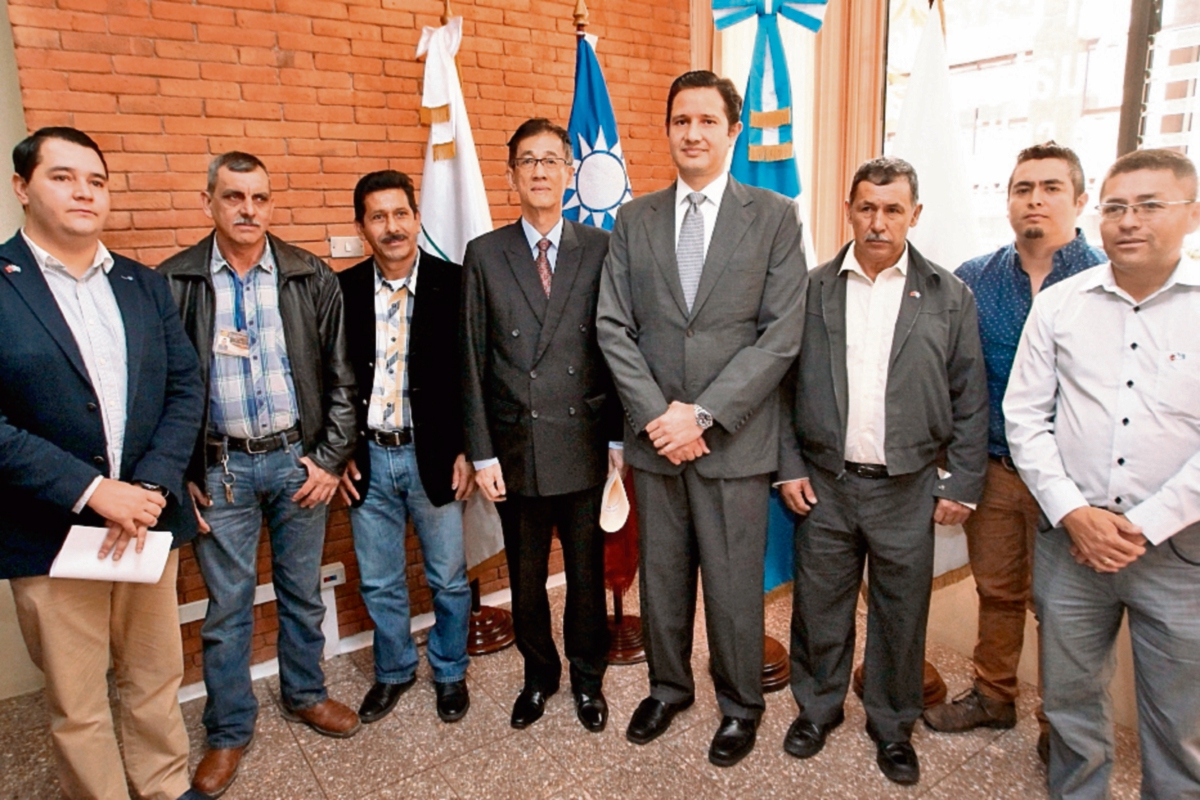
(323, 91)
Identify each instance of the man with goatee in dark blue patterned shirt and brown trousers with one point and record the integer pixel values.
(1046, 196)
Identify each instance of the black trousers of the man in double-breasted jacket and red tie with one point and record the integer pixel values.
(529, 525)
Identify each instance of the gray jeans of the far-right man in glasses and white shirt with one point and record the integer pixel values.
(1081, 612)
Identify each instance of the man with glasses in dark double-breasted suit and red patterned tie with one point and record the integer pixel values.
(539, 408)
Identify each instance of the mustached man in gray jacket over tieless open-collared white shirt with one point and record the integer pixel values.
(891, 377)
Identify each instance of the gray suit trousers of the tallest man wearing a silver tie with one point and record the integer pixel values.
(718, 527)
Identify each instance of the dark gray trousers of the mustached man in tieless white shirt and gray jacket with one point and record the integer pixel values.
(889, 524)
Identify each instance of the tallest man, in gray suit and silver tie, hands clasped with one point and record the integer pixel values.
(701, 314)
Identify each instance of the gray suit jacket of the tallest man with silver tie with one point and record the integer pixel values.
(731, 351)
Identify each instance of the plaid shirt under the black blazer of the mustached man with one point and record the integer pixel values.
(394, 326)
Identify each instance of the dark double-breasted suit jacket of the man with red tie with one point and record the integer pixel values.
(537, 393)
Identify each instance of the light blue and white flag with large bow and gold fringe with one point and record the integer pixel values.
(765, 158)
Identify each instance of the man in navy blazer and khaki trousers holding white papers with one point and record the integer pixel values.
(100, 405)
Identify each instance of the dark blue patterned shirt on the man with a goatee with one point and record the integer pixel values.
(1004, 296)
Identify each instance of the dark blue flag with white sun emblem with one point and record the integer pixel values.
(601, 184)
